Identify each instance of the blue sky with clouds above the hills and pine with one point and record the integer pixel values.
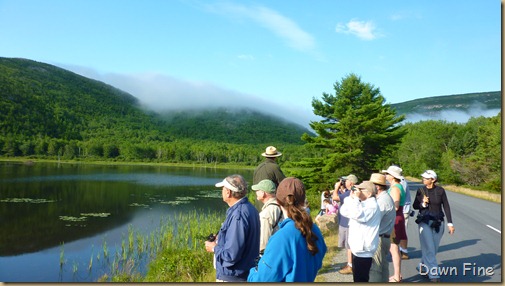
(275, 56)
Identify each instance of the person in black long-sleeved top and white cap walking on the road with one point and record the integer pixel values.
(429, 201)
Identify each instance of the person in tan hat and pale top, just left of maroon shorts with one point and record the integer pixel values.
(379, 272)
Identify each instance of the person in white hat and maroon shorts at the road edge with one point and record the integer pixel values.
(396, 191)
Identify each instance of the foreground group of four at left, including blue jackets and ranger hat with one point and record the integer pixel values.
(279, 244)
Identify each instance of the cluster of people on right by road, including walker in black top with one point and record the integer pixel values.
(373, 219)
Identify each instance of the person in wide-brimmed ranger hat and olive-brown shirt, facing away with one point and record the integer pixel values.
(269, 169)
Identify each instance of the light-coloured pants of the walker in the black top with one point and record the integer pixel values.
(430, 240)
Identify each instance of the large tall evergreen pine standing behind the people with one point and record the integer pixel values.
(355, 130)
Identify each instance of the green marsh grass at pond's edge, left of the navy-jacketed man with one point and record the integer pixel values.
(174, 252)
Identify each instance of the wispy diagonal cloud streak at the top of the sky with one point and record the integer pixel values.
(280, 25)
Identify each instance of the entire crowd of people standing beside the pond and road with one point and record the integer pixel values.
(282, 244)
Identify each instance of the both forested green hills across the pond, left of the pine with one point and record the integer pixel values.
(41, 100)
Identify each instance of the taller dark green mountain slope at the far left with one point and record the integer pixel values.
(38, 99)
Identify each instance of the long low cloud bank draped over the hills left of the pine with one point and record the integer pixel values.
(160, 92)
